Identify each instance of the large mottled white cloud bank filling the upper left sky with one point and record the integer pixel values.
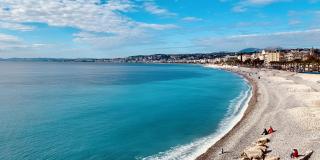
(89, 16)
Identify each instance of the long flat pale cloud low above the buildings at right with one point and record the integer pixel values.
(305, 38)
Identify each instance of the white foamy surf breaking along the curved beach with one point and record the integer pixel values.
(194, 149)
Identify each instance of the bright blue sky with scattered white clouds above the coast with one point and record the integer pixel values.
(120, 28)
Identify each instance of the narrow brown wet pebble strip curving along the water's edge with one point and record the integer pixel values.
(250, 106)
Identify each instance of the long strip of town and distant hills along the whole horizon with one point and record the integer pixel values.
(295, 60)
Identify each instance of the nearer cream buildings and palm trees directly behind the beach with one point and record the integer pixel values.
(296, 60)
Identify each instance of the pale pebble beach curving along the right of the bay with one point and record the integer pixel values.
(287, 101)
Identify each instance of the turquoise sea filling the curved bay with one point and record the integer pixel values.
(110, 111)
